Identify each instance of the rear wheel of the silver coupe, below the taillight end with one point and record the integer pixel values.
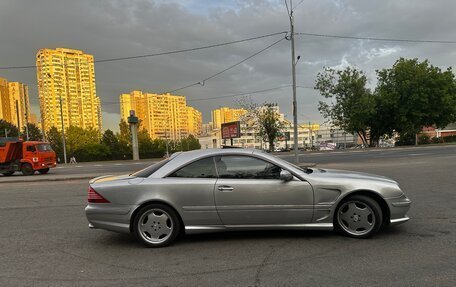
(156, 225)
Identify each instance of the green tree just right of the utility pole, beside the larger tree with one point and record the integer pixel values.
(352, 105)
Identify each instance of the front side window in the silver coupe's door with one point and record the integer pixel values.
(246, 167)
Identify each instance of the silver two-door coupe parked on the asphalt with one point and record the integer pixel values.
(241, 189)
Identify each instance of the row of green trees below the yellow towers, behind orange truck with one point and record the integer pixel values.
(90, 145)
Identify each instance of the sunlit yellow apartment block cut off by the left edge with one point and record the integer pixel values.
(14, 103)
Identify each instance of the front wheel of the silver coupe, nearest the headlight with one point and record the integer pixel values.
(358, 216)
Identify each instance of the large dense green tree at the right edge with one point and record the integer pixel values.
(416, 94)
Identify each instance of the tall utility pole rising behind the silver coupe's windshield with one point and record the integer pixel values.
(293, 72)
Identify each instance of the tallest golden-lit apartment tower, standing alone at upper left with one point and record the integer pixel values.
(66, 82)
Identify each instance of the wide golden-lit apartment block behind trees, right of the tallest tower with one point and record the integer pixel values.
(163, 116)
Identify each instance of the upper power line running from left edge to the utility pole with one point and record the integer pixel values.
(157, 54)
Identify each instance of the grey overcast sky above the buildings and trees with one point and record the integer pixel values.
(118, 28)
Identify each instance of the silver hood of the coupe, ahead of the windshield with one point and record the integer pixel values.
(345, 174)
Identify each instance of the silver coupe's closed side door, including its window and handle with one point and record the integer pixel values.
(249, 191)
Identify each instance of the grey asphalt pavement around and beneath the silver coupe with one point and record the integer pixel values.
(45, 240)
